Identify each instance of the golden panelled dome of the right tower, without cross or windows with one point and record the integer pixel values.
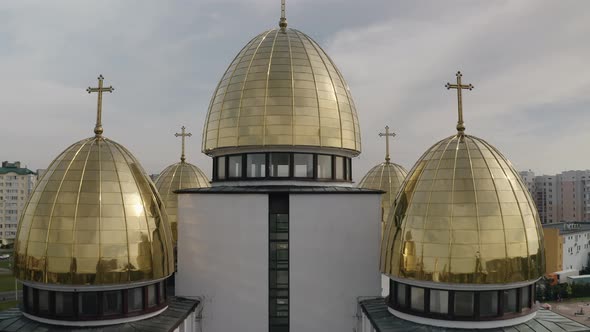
(463, 216)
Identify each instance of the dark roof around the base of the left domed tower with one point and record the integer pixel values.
(177, 311)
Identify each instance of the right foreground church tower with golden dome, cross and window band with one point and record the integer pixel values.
(463, 245)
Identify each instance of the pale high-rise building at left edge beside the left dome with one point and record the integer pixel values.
(16, 184)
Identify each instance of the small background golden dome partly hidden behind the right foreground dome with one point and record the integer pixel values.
(388, 177)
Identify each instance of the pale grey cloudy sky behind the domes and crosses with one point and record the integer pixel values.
(528, 61)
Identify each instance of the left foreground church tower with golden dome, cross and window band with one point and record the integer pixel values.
(94, 246)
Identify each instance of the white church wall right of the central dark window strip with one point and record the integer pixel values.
(334, 258)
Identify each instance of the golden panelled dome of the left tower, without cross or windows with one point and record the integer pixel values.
(94, 218)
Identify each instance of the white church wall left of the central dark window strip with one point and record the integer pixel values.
(223, 259)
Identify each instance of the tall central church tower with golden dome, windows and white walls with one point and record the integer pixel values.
(281, 241)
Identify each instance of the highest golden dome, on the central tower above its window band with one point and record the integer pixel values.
(282, 90)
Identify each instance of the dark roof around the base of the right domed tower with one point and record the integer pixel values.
(545, 321)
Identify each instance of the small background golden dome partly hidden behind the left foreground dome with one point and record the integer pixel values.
(174, 177)
